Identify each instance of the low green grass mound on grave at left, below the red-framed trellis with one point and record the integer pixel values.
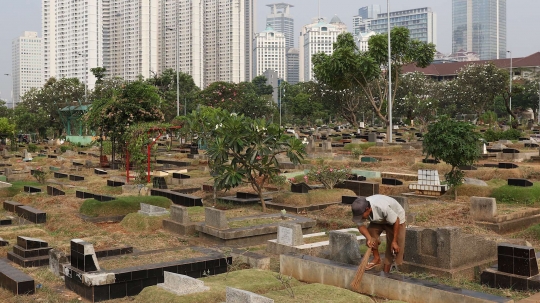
(120, 206)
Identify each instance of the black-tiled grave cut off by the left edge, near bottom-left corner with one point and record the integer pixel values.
(15, 280)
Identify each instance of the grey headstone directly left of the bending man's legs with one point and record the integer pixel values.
(344, 248)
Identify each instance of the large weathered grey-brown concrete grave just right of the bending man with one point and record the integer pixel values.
(447, 252)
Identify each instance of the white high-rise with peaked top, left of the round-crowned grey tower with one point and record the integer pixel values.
(269, 52)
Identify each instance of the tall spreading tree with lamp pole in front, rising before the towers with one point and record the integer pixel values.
(348, 68)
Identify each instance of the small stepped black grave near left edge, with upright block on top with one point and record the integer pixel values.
(30, 252)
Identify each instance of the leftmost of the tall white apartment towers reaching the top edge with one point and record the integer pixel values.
(72, 38)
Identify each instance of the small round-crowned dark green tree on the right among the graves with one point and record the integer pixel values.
(455, 143)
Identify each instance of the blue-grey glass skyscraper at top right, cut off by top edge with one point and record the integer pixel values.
(479, 27)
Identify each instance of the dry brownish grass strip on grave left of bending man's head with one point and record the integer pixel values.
(313, 197)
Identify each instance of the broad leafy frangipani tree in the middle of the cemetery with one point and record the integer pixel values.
(245, 150)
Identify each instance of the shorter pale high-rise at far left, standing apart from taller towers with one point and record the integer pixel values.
(27, 64)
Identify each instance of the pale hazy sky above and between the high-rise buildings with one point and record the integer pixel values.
(523, 23)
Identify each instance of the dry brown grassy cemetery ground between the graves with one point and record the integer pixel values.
(70, 218)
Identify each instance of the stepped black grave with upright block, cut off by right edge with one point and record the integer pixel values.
(517, 268)
